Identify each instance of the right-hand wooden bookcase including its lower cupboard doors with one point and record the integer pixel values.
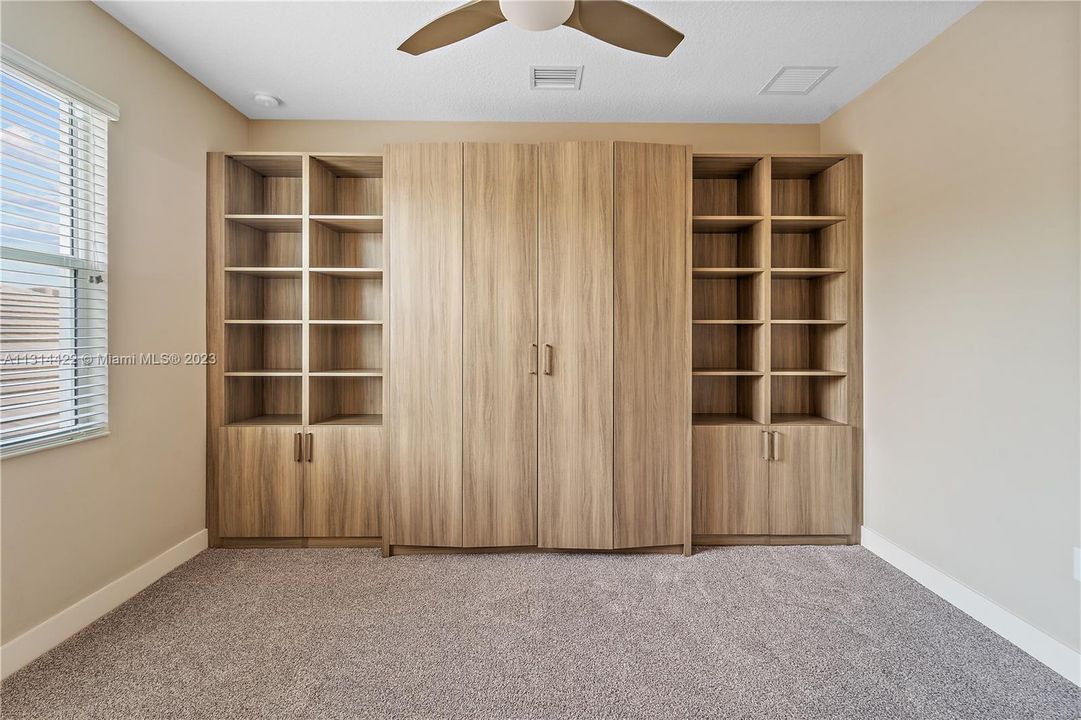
(778, 372)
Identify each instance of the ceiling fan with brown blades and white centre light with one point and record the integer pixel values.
(613, 22)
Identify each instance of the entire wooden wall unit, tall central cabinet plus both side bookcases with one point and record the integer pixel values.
(598, 346)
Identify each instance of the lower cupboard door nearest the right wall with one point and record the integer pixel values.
(811, 482)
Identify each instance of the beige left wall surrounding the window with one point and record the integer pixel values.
(78, 517)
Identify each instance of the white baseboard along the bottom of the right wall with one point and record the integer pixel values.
(1036, 643)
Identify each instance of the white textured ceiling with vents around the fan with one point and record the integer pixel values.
(340, 60)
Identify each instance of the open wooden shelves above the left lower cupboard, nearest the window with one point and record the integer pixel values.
(303, 290)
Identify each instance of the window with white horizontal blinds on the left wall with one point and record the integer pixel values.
(54, 274)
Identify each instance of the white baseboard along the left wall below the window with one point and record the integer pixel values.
(41, 639)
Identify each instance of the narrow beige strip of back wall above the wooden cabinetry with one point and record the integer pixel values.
(350, 137)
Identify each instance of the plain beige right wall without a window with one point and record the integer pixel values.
(972, 305)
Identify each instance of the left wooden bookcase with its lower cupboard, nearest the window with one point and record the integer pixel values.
(296, 292)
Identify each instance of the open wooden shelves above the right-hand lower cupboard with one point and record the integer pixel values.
(771, 290)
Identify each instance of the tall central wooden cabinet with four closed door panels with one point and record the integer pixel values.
(541, 349)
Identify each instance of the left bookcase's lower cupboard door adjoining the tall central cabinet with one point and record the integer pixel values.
(343, 489)
